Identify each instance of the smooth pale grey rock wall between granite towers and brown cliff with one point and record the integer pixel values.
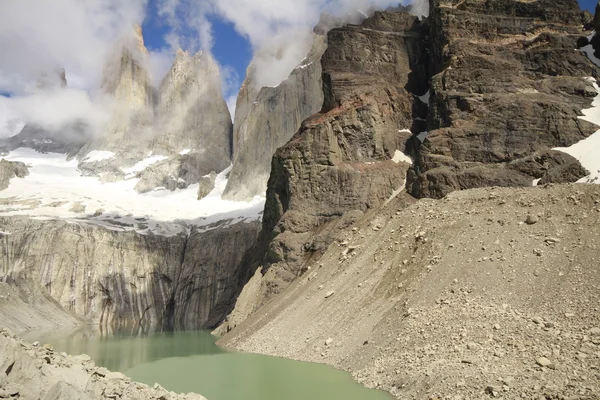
(266, 121)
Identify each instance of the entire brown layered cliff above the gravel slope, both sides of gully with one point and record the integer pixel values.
(476, 95)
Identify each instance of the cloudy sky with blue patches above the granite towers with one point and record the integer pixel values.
(42, 36)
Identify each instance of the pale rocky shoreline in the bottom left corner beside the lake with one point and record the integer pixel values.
(34, 371)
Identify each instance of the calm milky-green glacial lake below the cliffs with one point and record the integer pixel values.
(191, 362)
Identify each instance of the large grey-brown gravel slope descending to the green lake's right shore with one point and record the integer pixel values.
(486, 293)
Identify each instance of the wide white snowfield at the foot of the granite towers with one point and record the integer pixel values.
(54, 188)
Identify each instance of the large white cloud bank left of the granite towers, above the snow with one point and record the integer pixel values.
(41, 37)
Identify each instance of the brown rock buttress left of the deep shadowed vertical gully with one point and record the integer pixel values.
(339, 164)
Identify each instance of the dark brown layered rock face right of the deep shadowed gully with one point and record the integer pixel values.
(506, 85)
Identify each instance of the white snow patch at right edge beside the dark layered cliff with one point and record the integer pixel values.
(587, 151)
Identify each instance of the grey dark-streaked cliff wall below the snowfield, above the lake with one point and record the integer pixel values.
(124, 278)
